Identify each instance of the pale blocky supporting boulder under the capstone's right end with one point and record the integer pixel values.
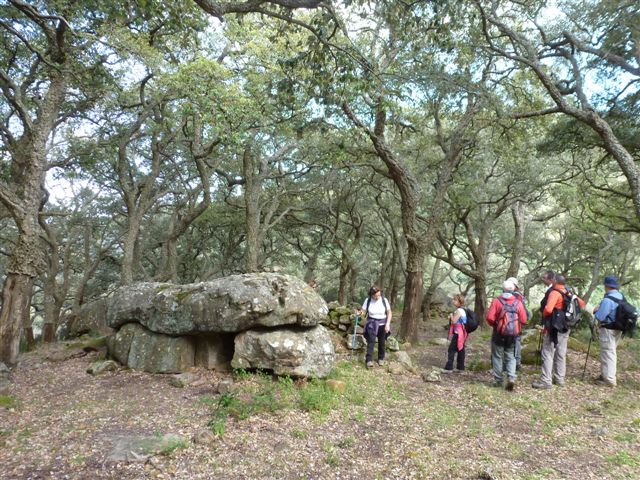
(295, 352)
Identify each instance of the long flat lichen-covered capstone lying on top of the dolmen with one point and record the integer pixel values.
(229, 304)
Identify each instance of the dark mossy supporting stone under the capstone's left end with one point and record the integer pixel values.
(142, 349)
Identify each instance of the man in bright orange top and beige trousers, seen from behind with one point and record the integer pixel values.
(555, 335)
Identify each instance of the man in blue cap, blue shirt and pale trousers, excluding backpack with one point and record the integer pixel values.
(605, 313)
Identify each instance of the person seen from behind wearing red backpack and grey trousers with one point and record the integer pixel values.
(506, 315)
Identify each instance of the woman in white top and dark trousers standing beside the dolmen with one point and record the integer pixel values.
(378, 314)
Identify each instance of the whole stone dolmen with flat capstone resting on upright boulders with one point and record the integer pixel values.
(265, 320)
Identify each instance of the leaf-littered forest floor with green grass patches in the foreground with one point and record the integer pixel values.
(60, 422)
